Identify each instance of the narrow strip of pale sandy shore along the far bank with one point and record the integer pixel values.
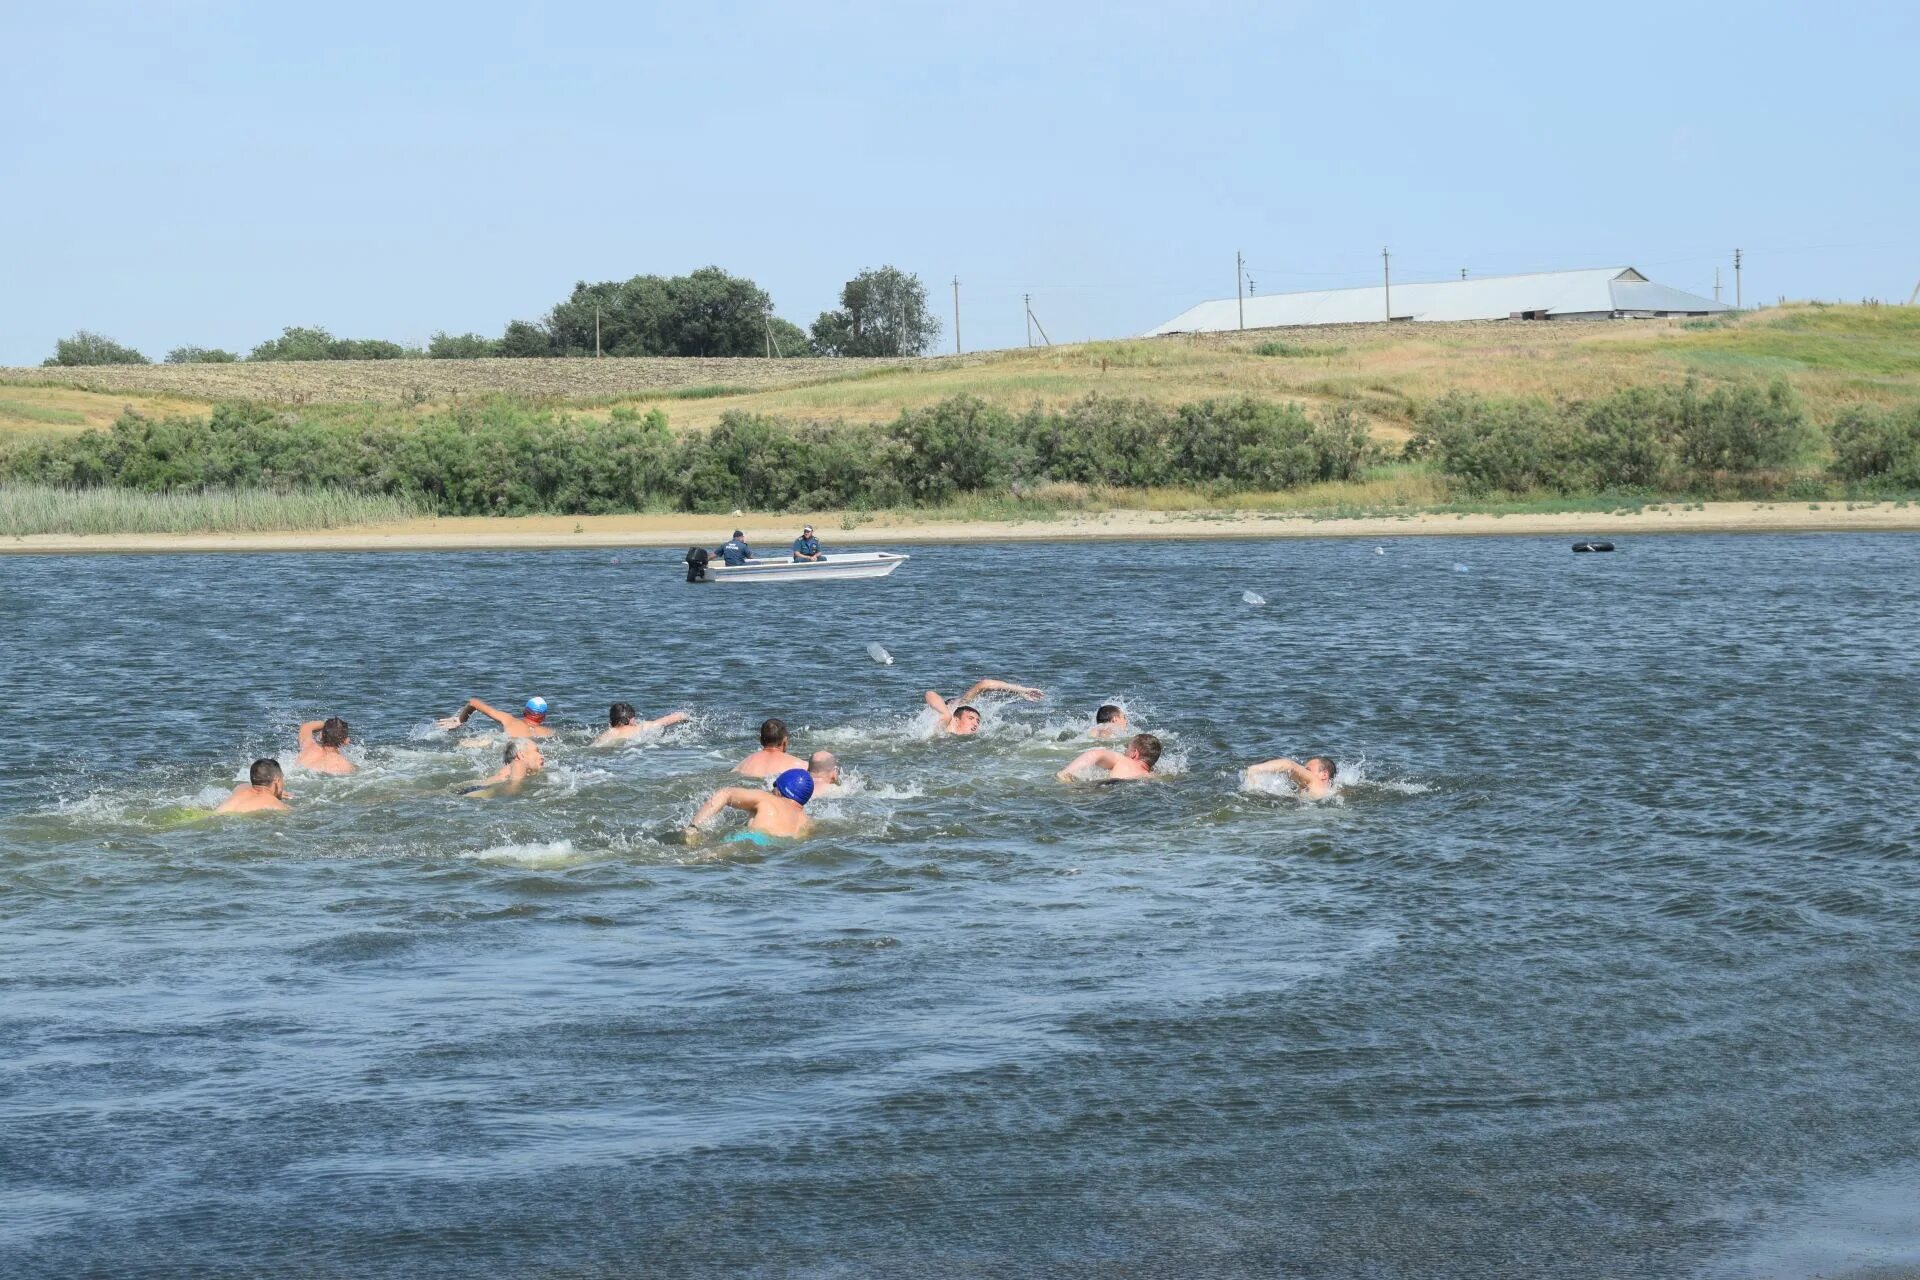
(775, 533)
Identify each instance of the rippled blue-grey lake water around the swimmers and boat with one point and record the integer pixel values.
(1602, 964)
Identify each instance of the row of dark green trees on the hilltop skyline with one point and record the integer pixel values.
(882, 314)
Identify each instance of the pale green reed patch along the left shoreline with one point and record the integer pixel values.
(30, 510)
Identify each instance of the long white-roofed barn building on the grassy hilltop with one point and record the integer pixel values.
(1595, 295)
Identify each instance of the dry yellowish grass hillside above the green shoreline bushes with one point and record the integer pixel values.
(1833, 356)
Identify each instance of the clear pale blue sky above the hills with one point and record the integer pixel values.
(210, 174)
